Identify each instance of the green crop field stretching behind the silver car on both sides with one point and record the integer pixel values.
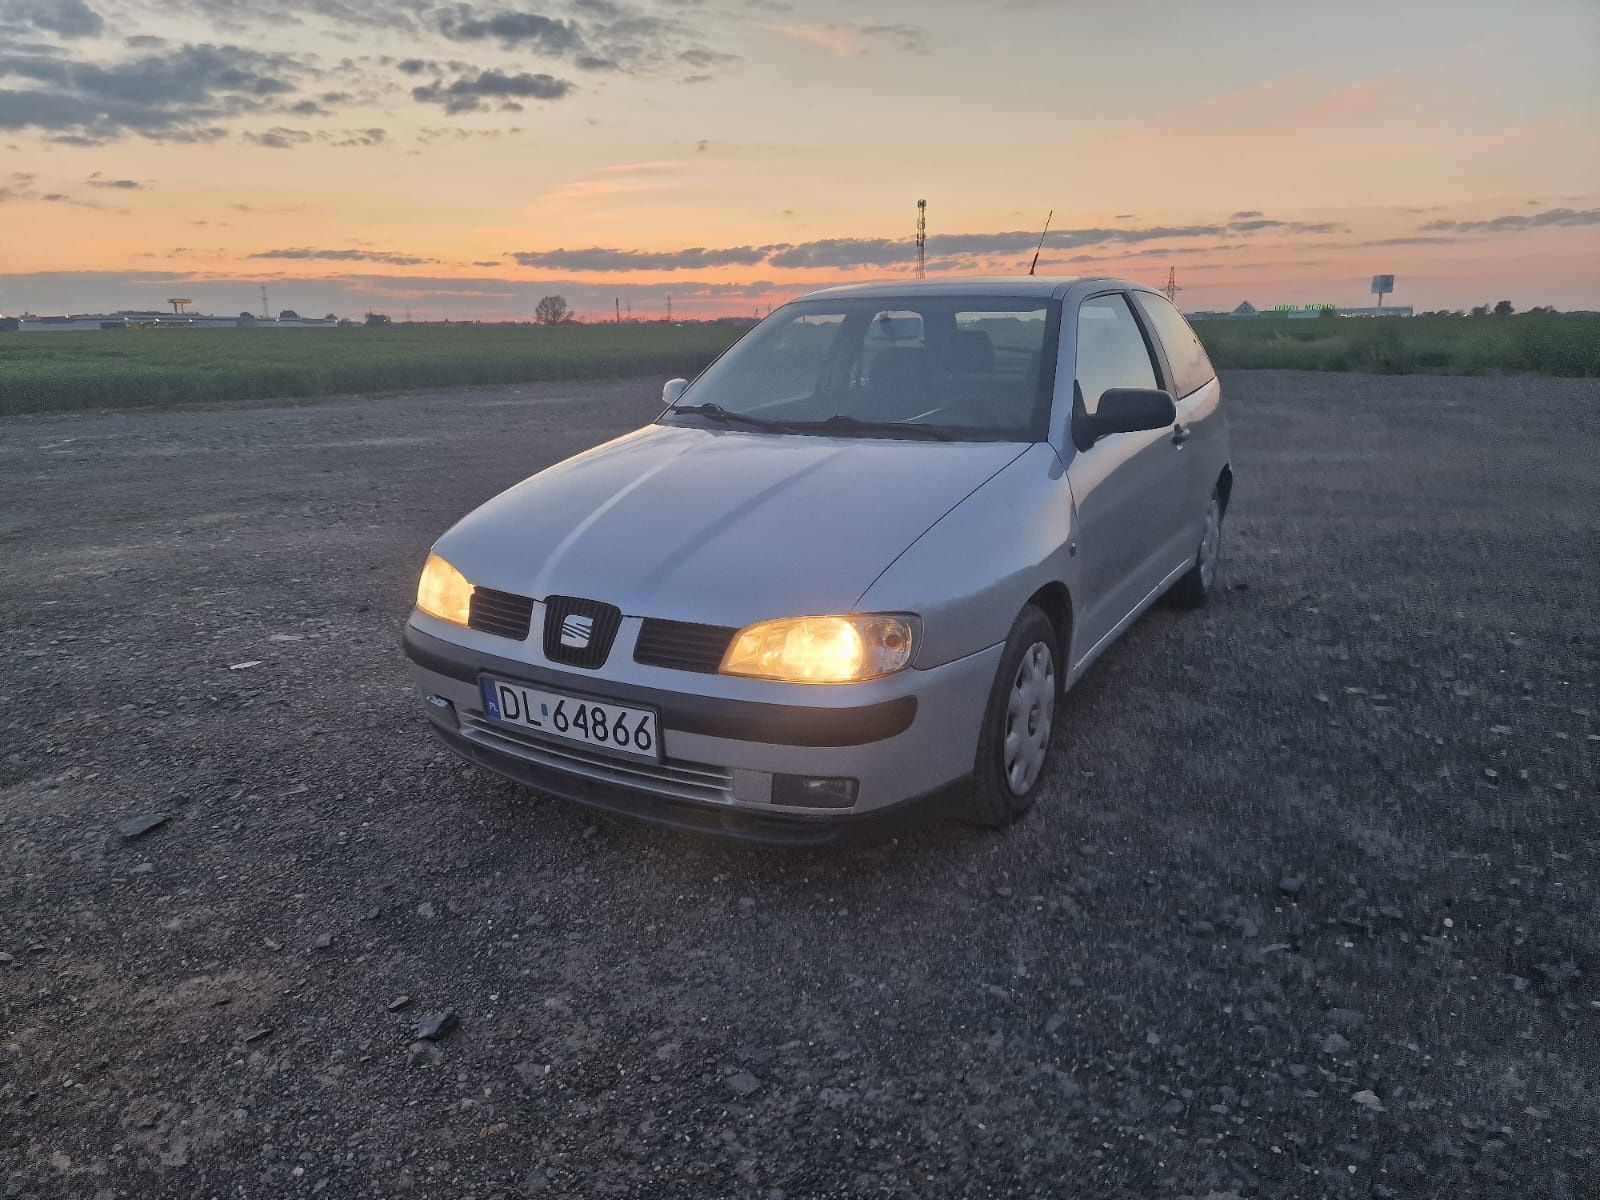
(127, 369)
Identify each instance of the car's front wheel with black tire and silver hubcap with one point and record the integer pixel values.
(998, 801)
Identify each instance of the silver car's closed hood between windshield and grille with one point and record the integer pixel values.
(719, 527)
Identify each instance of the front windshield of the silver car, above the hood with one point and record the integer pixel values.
(950, 367)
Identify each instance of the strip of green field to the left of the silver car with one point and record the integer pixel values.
(130, 369)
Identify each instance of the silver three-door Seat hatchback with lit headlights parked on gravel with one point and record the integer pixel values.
(849, 572)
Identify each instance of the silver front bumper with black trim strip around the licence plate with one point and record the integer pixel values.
(906, 740)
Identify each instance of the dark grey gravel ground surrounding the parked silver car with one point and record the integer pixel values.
(1306, 911)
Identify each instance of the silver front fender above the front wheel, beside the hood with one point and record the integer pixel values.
(974, 570)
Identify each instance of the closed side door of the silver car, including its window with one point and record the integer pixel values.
(1129, 489)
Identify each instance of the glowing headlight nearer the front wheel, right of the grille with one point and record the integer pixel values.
(823, 649)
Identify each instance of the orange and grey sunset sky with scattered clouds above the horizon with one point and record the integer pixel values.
(465, 159)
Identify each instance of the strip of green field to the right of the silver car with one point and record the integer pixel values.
(1526, 345)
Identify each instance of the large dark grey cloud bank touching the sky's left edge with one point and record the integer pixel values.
(175, 97)
